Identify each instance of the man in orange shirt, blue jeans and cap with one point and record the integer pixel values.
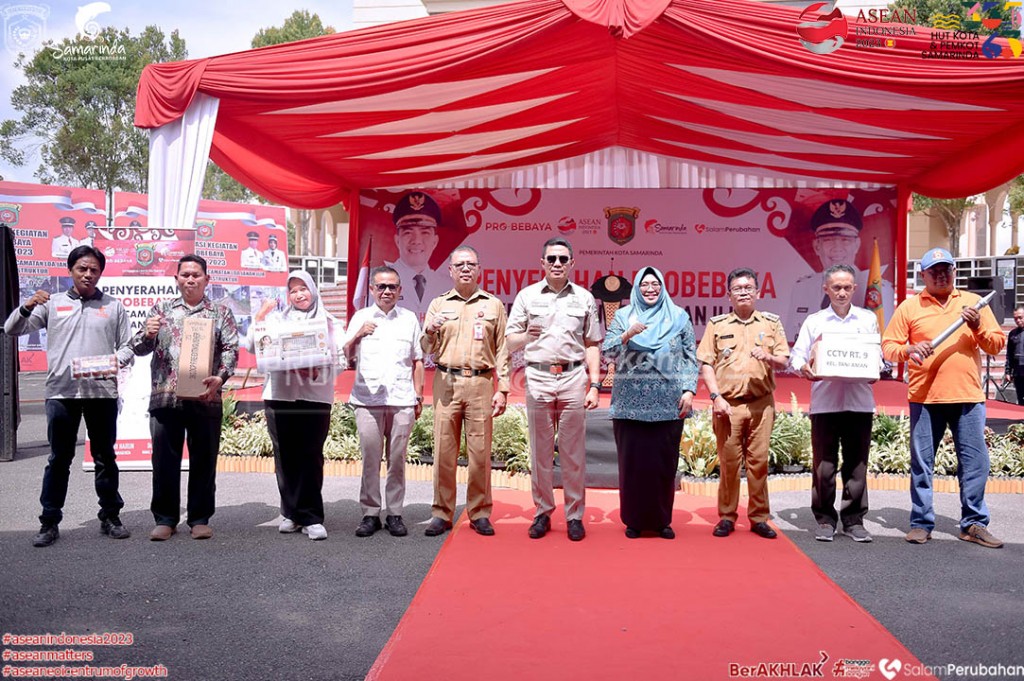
(946, 391)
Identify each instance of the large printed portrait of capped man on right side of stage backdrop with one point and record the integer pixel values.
(836, 226)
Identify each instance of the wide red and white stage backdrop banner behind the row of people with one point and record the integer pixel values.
(696, 237)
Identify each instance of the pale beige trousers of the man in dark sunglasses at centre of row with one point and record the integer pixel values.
(554, 405)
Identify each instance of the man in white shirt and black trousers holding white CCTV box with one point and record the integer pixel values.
(842, 412)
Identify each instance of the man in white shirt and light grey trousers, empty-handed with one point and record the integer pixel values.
(388, 397)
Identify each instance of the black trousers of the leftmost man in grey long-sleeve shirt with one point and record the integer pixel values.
(63, 420)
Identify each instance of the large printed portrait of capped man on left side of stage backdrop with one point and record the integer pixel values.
(417, 219)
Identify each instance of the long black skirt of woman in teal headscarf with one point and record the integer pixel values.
(649, 458)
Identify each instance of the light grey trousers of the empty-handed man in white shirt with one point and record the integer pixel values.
(383, 432)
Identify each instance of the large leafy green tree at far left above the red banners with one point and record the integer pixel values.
(78, 109)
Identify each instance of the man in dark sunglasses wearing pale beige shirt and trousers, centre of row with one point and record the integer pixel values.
(557, 324)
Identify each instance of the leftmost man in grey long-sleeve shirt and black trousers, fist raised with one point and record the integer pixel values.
(81, 323)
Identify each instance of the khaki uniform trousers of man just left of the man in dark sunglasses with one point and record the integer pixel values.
(462, 404)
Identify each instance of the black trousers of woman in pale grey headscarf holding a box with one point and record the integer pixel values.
(298, 432)
